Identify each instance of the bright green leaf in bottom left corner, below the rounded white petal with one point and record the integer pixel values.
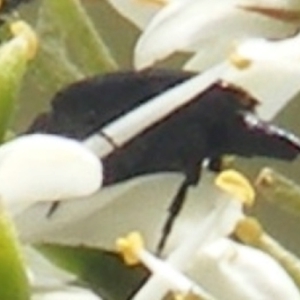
(13, 279)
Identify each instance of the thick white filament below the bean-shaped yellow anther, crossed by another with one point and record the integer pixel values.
(219, 222)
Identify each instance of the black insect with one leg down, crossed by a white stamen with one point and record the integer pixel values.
(219, 121)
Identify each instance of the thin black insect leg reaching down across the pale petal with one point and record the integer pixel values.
(174, 209)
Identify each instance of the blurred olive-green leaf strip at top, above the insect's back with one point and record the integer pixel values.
(67, 22)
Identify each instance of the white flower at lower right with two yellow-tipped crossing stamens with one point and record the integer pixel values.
(221, 268)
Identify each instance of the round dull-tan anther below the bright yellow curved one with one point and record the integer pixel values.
(249, 230)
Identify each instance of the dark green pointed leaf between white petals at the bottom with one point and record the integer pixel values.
(103, 271)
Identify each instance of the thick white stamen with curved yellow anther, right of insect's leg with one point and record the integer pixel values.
(219, 222)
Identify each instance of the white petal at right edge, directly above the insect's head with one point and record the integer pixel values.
(272, 76)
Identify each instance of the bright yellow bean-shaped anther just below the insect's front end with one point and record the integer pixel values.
(237, 185)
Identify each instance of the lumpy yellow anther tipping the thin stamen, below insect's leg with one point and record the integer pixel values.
(130, 247)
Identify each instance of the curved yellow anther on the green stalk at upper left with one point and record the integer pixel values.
(22, 29)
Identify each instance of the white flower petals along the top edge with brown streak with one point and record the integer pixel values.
(207, 27)
